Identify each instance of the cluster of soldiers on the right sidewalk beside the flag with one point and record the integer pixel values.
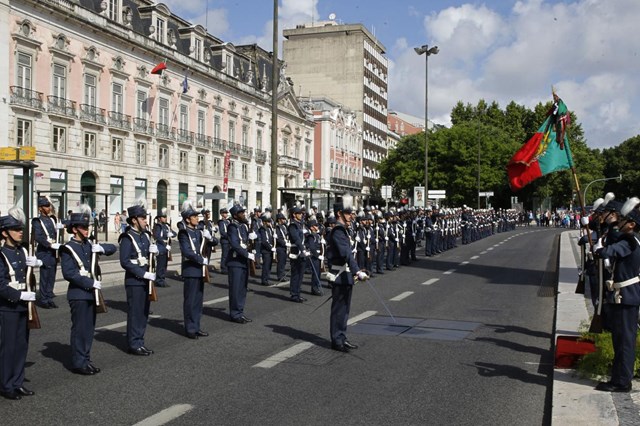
(610, 261)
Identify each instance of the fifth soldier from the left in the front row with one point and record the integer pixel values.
(237, 262)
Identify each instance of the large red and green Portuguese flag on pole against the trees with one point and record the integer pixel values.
(546, 152)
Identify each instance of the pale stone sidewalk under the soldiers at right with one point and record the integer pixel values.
(575, 401)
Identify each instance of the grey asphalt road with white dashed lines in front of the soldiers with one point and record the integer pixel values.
(500, 373)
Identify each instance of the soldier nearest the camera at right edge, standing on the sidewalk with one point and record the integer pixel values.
(623, 296)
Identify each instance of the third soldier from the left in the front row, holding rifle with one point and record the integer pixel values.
(135, 247)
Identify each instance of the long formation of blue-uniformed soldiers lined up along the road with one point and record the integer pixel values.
(342, 247)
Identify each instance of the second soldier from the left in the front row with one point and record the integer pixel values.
(75, 263)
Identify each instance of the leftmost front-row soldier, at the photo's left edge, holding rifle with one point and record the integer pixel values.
(14, 295)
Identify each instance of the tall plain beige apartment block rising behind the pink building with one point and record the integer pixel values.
(346, 63)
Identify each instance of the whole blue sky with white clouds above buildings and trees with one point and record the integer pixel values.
(497, 50)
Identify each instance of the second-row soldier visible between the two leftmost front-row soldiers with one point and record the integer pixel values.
(46, 229)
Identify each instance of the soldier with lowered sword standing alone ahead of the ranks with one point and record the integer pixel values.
(345, 270)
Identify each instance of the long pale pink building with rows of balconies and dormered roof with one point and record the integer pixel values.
(78, 88)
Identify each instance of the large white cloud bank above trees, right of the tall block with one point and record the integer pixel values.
(585, 48)
